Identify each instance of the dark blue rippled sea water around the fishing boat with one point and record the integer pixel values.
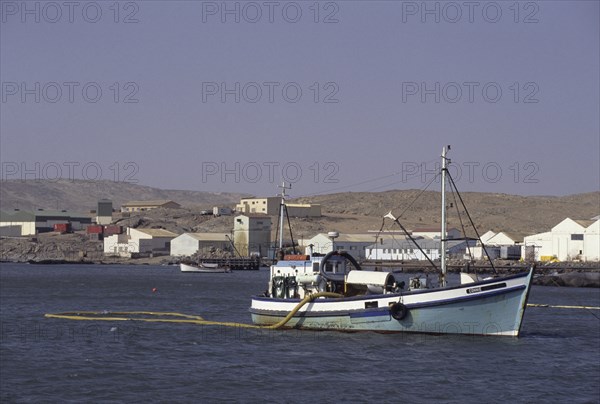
(556, 359)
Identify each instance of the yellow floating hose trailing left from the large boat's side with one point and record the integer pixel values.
(169, 317)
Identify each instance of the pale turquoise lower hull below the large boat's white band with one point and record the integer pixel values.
(494, 313)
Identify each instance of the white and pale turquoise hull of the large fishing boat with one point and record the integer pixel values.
(491, 307)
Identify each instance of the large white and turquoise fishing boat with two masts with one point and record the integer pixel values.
(332, 292)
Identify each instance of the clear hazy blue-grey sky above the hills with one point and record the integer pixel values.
(328, 96)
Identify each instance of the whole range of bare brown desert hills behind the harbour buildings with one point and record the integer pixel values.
(344, 212)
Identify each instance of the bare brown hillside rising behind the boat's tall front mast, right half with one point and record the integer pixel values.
(497, 212)
